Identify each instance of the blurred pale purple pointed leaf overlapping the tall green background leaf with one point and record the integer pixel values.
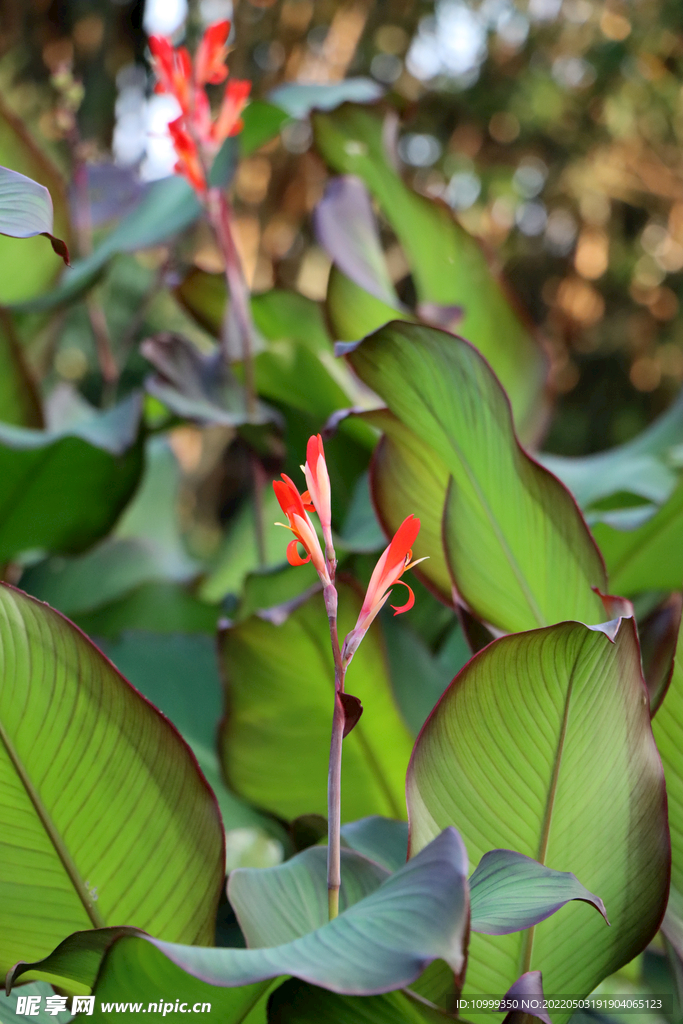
(346, 228)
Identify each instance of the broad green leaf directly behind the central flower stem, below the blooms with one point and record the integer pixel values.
(276, 740)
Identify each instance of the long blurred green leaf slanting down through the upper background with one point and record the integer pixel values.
(448, 266)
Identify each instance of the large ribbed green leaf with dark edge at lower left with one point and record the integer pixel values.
(105, 816)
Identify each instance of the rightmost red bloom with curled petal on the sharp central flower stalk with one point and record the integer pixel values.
(393, 564)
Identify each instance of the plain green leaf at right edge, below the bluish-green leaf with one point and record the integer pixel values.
(650, 558)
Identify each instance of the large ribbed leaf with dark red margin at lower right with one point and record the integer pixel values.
(543, 746)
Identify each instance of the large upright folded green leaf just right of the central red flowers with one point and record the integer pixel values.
(520, 553)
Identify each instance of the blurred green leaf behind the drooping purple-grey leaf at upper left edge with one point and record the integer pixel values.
(29, 266)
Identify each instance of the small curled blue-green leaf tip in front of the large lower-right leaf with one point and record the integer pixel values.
(510, 892)
